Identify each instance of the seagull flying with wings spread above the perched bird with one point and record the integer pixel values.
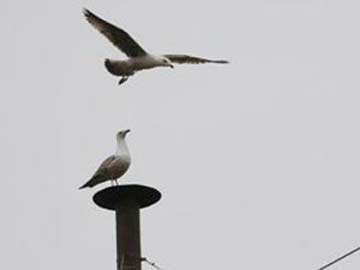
(139, 59)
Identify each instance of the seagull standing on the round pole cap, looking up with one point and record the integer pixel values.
(114, 166)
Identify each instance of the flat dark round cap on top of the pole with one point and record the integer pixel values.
(112, 197)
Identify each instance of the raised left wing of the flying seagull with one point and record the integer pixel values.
(117, 36)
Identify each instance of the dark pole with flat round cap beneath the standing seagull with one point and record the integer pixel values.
(126, 201)
